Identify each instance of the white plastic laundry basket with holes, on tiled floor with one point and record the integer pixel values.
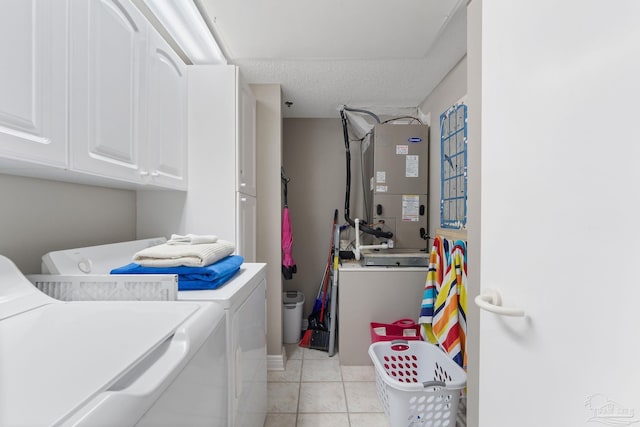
(417, 383)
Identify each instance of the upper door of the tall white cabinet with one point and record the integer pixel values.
(246, 123)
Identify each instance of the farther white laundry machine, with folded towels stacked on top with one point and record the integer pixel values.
(243, 300)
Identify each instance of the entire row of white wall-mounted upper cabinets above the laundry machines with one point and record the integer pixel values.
(91, 88)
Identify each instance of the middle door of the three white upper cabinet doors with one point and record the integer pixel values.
(107, 39)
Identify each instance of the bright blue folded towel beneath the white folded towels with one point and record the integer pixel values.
(211, 276)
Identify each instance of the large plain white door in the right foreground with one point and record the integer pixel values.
(559, 234)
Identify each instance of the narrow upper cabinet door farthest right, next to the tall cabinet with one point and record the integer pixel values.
(167, 119)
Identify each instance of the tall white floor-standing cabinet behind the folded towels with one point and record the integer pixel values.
(221, 195)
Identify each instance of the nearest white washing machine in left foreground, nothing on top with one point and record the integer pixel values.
(104, 363)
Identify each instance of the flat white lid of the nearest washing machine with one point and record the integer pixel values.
(56, 357)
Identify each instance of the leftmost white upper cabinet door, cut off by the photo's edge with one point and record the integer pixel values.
(33, 92)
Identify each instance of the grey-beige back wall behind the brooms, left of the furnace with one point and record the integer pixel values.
(314, 159)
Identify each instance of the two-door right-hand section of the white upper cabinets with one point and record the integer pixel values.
(128, 102)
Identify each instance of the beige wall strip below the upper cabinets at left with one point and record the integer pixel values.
(39, 216)
